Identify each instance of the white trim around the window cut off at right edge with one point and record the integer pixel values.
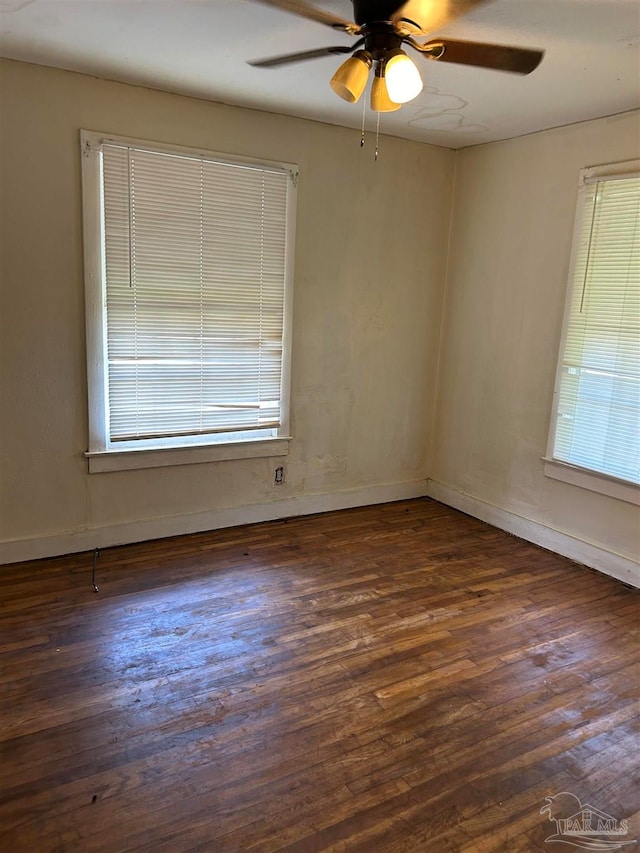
(553, 468)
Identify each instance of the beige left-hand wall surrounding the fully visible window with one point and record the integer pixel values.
(369, 272)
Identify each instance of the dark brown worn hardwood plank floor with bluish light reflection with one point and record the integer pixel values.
(394, 678)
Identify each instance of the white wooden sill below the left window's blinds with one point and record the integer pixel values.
(128, 460)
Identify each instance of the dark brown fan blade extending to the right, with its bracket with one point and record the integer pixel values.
(519, 60)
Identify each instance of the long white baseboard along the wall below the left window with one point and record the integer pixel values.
(38, 547)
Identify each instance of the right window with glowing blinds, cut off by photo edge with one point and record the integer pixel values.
(595, 427)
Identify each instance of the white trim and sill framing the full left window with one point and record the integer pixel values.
(101, 455)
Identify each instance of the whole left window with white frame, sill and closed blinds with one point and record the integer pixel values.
(188, 268)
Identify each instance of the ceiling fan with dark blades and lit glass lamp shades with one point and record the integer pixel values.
(382, 27)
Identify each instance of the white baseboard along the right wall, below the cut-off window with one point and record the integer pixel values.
(617, 566)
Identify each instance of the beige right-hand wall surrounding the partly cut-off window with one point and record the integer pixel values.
(512, 228)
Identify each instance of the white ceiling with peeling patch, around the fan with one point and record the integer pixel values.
(199, 47)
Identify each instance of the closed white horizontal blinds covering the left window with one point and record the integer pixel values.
(194, 252)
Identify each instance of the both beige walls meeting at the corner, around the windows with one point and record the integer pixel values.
(369, 289)
